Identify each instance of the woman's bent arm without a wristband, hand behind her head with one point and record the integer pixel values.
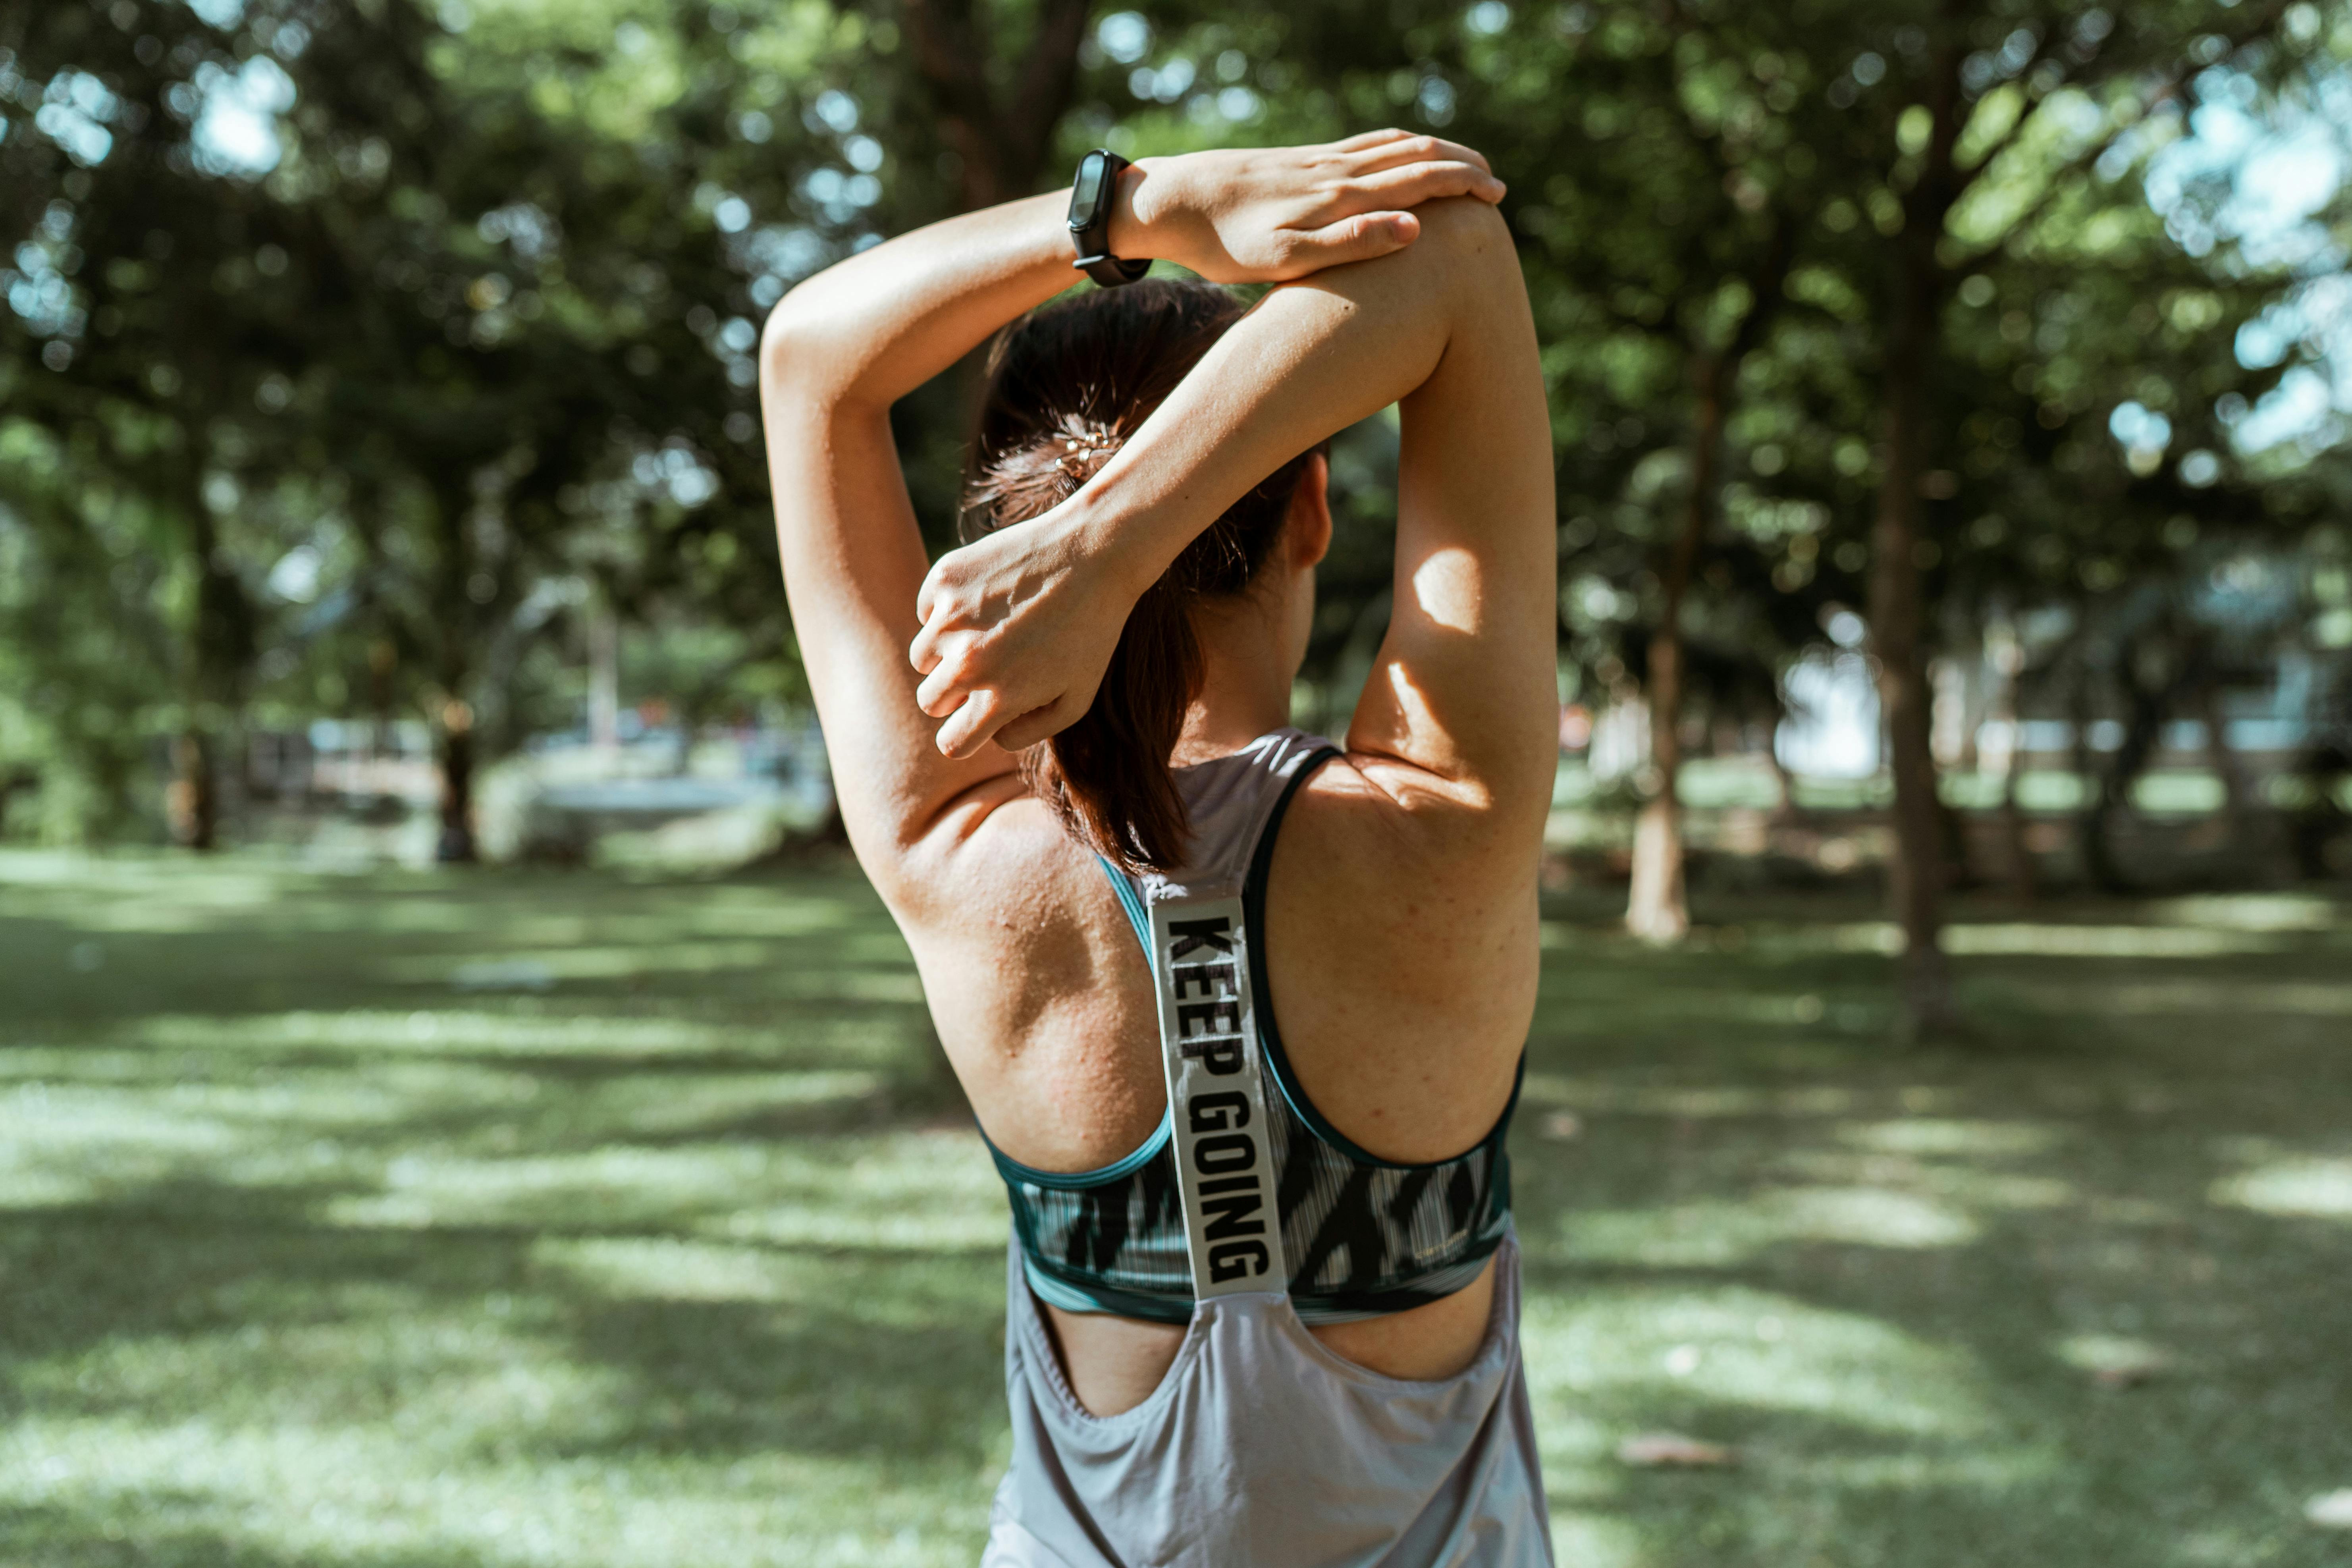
(1462, 697)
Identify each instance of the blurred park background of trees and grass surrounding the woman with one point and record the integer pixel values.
(460, 1101)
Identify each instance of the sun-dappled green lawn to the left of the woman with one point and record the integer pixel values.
(293, 1195)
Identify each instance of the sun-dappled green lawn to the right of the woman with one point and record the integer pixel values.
(2139, 1362)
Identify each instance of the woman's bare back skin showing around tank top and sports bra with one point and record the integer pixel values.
(1403, 967)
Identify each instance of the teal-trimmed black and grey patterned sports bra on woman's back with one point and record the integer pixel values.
(1361, 1235)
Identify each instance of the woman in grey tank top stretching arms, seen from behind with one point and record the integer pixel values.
(1264, 1294)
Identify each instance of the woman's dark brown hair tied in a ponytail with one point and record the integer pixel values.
(1067, 389)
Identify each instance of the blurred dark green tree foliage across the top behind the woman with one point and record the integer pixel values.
(450, 335)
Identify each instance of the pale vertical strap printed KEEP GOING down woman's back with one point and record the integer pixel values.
(1217, 1097)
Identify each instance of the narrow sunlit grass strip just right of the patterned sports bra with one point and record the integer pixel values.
(1730, 1233)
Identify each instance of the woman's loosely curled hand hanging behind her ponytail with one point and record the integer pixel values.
(1017, 631)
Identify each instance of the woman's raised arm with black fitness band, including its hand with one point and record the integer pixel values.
(862, 335)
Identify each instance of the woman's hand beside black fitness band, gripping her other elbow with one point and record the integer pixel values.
(1269, 215)
